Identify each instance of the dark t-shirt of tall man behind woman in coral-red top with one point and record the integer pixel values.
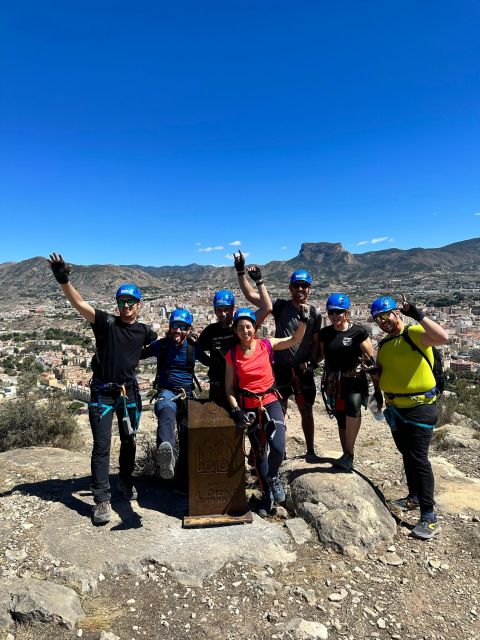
(287, 318)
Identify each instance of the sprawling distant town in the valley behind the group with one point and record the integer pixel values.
(67, 366)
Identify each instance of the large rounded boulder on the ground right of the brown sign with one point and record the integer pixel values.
(347, 513)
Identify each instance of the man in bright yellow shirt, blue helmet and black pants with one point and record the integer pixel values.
(405, 361)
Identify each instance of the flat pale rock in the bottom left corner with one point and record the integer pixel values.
(31, 600)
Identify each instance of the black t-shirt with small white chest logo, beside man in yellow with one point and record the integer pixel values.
(342, 348)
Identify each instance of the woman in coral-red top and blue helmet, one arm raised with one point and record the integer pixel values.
(249, 384)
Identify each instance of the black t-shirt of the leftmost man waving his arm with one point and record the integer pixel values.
(118, 347)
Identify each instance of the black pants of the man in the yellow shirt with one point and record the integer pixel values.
(413, 442)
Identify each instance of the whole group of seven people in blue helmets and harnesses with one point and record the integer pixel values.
(253, 380)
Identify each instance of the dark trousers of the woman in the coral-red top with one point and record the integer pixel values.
(268, 459)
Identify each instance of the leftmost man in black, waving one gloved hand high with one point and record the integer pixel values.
(113, 388)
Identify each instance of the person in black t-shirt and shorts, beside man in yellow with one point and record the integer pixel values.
(345, 346)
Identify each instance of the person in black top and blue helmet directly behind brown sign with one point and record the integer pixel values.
(219, 337)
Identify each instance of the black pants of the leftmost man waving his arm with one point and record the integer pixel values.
(103, 404)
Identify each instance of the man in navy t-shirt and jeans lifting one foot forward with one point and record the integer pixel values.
(176, 355)
